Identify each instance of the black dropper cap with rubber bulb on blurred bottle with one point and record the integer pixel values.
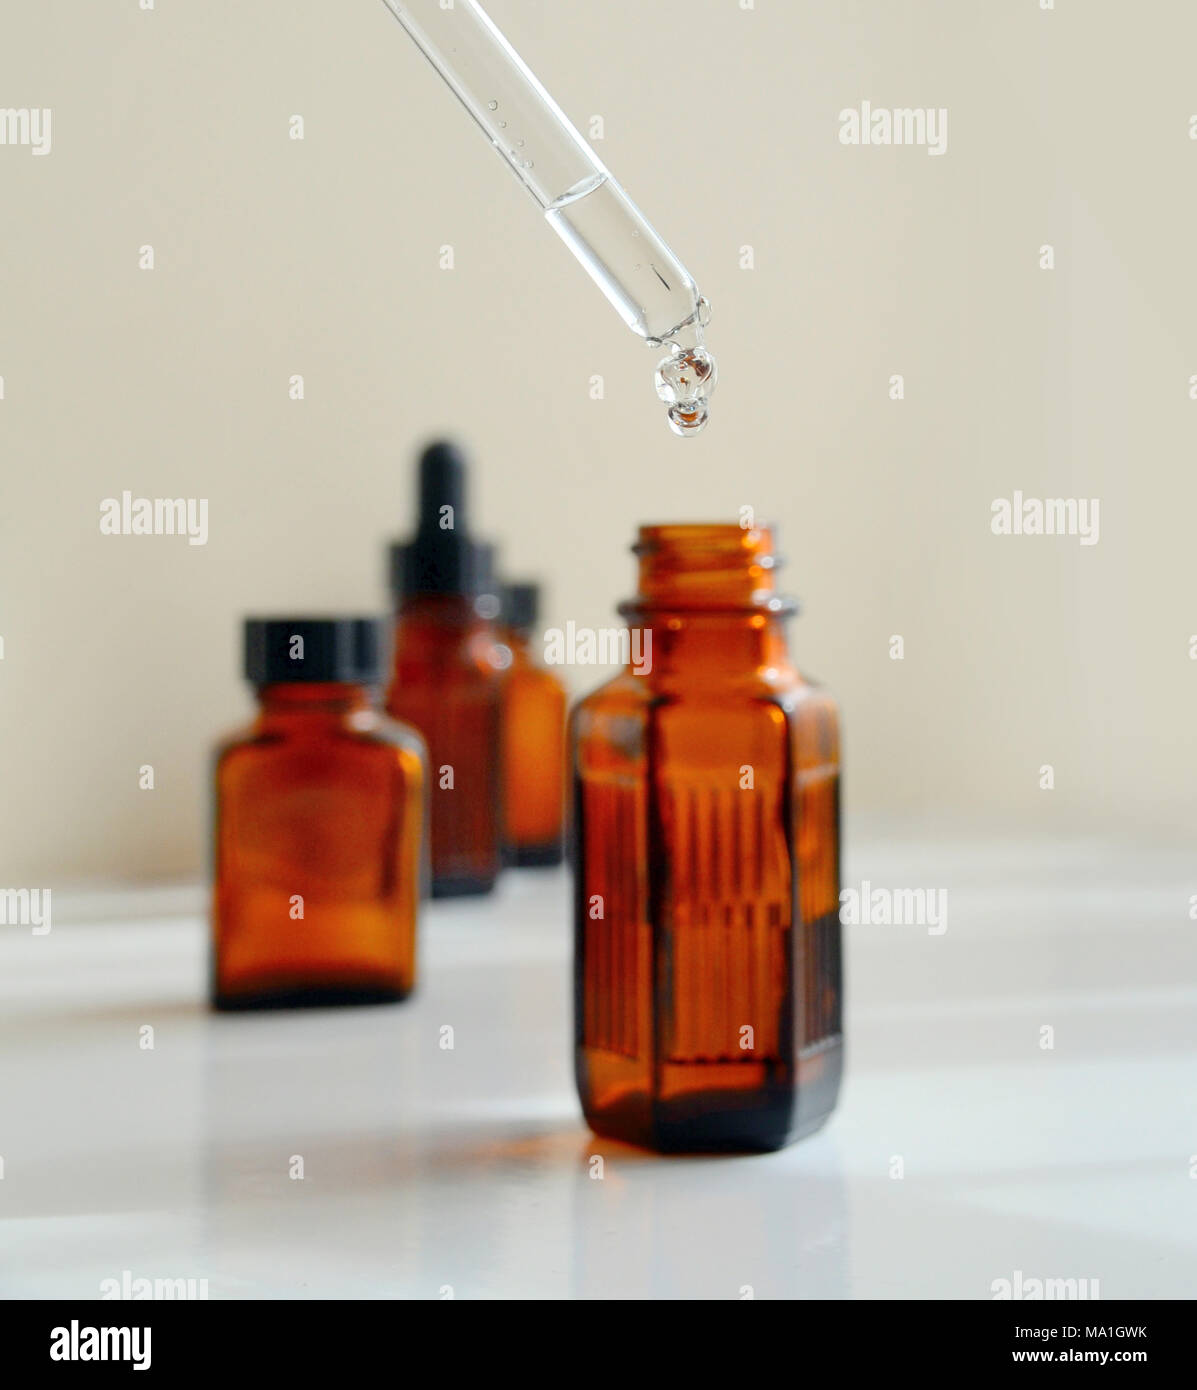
(443, 558)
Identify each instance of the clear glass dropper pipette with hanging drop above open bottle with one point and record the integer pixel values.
(649, 287)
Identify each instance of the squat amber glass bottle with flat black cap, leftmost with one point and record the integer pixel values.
(318, 829)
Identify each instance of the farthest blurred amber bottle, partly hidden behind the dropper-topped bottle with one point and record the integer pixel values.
(535, 739)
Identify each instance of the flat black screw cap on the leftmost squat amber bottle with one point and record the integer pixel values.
(347, 650)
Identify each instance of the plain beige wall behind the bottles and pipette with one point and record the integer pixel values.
(320, 258)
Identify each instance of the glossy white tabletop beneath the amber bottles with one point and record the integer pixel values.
(471, 1170)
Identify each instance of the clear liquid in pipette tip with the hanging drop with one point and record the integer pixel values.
(649, 288)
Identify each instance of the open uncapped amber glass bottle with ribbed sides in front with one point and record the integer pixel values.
(707, 856)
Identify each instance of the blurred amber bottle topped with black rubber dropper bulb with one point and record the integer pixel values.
(448, 676)
